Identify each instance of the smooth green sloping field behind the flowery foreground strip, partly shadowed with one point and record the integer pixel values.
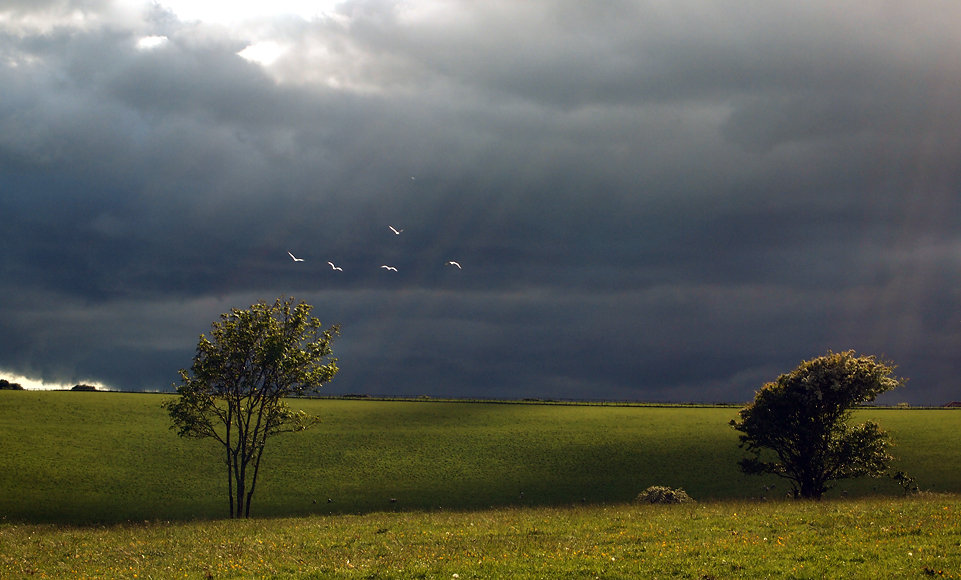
(69, 457)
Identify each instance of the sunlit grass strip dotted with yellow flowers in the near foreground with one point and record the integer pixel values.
(918, 537)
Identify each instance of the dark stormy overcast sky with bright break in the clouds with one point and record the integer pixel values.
(650, 200)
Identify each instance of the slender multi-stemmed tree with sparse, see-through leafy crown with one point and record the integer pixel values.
(240, 376)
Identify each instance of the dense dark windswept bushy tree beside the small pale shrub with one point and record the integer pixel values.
(798, 427)
